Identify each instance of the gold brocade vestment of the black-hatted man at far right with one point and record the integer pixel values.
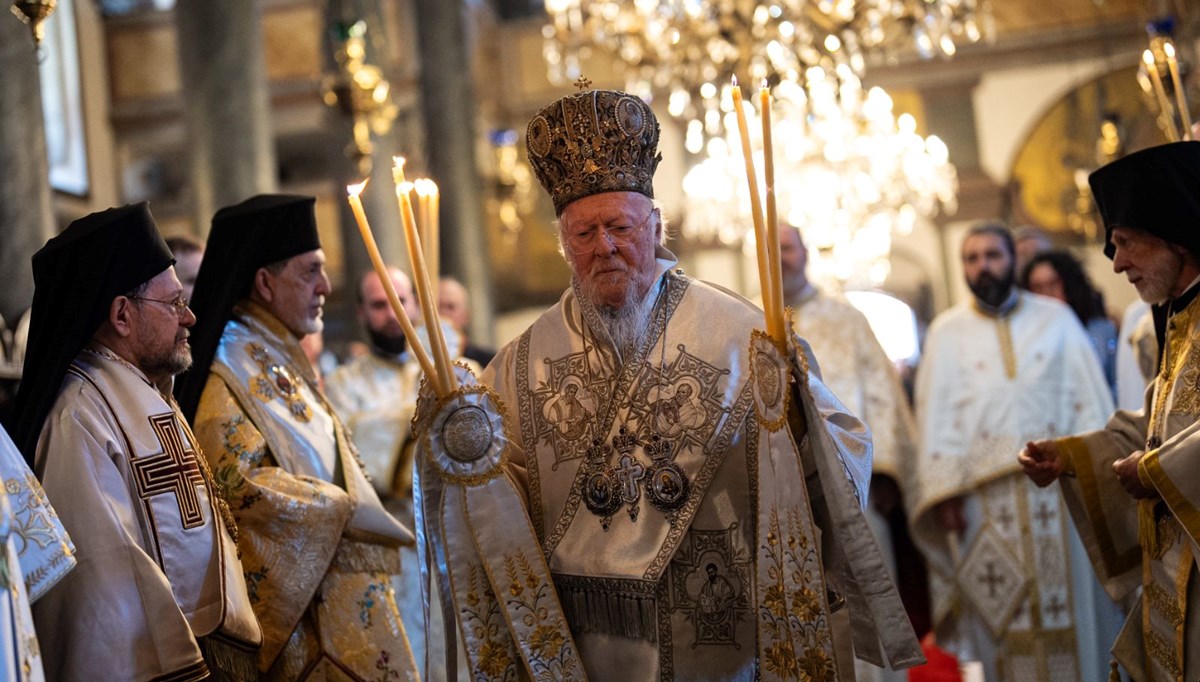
(1153, 545)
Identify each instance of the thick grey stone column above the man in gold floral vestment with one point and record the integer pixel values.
(227, 100)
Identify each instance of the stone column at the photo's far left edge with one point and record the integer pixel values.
(27, 219)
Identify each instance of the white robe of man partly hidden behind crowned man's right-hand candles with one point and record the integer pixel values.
(857, 370)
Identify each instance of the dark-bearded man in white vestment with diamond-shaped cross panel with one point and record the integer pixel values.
(1011, 588)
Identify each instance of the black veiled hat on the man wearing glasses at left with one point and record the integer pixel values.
(76, 278)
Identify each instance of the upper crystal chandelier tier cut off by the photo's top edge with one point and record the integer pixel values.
(689, 49)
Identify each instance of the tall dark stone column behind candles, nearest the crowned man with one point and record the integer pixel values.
(448, 101)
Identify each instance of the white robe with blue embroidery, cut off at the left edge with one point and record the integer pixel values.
(37, 554)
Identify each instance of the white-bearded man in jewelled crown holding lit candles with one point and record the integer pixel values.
(703, 519)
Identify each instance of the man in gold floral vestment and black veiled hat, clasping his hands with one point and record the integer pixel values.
(320, 552)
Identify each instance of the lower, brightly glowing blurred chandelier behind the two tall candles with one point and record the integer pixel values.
(850, 175)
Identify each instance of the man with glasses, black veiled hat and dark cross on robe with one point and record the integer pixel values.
(158, 593)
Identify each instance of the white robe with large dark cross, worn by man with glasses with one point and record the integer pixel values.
(158, 575)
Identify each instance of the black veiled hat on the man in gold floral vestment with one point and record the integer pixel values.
(245, 237)
